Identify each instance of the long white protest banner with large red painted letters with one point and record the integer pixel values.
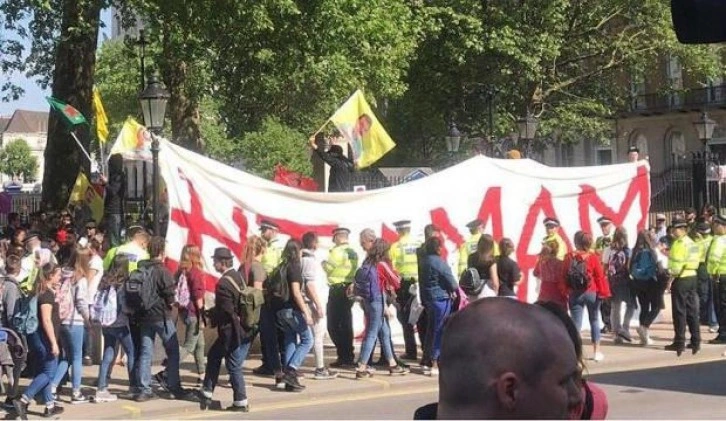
(213, 205)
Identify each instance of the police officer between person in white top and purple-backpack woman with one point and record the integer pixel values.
(340, 267)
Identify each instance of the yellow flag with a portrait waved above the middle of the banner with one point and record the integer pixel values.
(359, 125)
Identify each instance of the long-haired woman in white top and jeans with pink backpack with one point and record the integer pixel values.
(73, 324)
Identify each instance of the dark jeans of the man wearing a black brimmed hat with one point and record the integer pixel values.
(233, 361)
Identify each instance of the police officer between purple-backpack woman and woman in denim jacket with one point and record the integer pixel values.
(403, 256)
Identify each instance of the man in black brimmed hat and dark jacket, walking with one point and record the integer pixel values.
(232, 342)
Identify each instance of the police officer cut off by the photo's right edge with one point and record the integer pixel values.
(716, 267)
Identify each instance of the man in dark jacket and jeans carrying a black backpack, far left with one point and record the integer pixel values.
(157, 321)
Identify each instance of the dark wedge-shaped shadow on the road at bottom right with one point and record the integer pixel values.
(703, 378)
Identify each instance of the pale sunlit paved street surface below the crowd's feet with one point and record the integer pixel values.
(645, 383)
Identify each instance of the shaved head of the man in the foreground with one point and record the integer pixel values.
(503, 359)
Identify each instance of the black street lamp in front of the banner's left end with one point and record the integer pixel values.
(153, 101)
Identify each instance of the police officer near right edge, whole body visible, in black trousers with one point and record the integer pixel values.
(683, 262)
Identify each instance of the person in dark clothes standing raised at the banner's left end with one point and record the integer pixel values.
(113, 205)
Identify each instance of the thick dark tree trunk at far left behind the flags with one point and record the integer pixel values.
(72, 83)
